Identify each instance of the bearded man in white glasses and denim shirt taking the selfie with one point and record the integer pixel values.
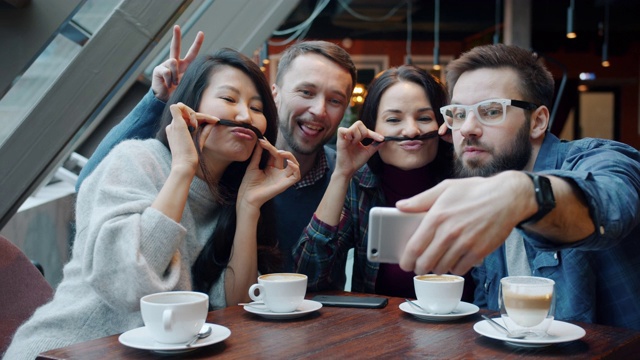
(526, 202)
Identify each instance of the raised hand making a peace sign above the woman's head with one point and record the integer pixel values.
(167, 75)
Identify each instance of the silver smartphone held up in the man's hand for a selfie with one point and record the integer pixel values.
(389, 232)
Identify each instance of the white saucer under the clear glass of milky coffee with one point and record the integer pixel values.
(558, 332)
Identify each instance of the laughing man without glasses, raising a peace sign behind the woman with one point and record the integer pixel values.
(312, 92)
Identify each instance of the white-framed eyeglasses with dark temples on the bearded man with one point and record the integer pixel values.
(488, 112)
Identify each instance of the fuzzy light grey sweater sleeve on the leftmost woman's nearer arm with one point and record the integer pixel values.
(128, 248)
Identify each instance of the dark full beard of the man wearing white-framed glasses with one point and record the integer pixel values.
(515, 157)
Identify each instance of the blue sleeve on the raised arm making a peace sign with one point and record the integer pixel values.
(141, 123)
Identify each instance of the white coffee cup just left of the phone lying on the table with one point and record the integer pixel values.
(280, 292)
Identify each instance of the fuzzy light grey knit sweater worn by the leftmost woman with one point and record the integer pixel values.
(123, 250)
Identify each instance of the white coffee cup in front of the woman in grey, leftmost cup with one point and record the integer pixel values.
(175, 316)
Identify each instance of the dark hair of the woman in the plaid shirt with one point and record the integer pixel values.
(435, 92)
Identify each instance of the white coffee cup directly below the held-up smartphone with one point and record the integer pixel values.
(438, 294)
